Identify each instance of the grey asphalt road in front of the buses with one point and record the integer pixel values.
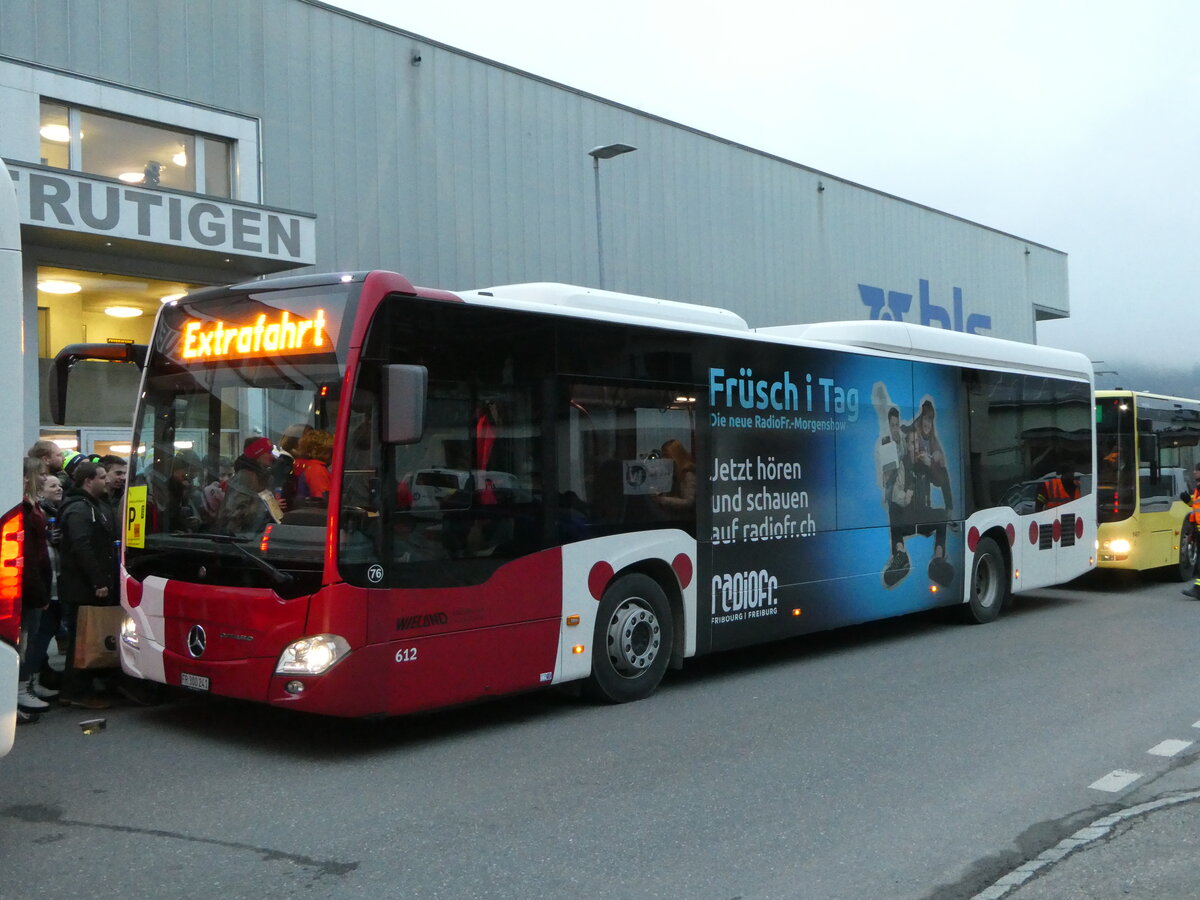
(909, 759)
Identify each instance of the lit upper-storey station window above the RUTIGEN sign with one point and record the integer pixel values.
(136, 152)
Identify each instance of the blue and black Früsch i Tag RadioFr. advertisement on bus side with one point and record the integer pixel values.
(832, 491)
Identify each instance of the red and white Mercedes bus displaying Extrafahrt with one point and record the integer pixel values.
(542, 484)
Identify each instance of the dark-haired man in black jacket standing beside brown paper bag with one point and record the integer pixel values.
(89, 569)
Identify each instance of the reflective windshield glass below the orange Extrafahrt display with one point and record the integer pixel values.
(236, 464)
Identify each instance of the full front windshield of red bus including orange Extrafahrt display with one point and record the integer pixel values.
(229, 381)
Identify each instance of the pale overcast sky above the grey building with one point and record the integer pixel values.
(1071, 124)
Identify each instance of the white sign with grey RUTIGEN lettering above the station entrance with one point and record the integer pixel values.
(67, 201)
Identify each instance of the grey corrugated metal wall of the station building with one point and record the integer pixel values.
(463, 173)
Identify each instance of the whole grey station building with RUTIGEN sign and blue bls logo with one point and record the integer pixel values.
(160, 146)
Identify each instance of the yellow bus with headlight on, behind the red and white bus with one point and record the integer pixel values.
(1148, 447)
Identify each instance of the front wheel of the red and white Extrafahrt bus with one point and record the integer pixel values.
(633, 641)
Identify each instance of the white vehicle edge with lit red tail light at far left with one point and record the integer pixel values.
(11, 453)
